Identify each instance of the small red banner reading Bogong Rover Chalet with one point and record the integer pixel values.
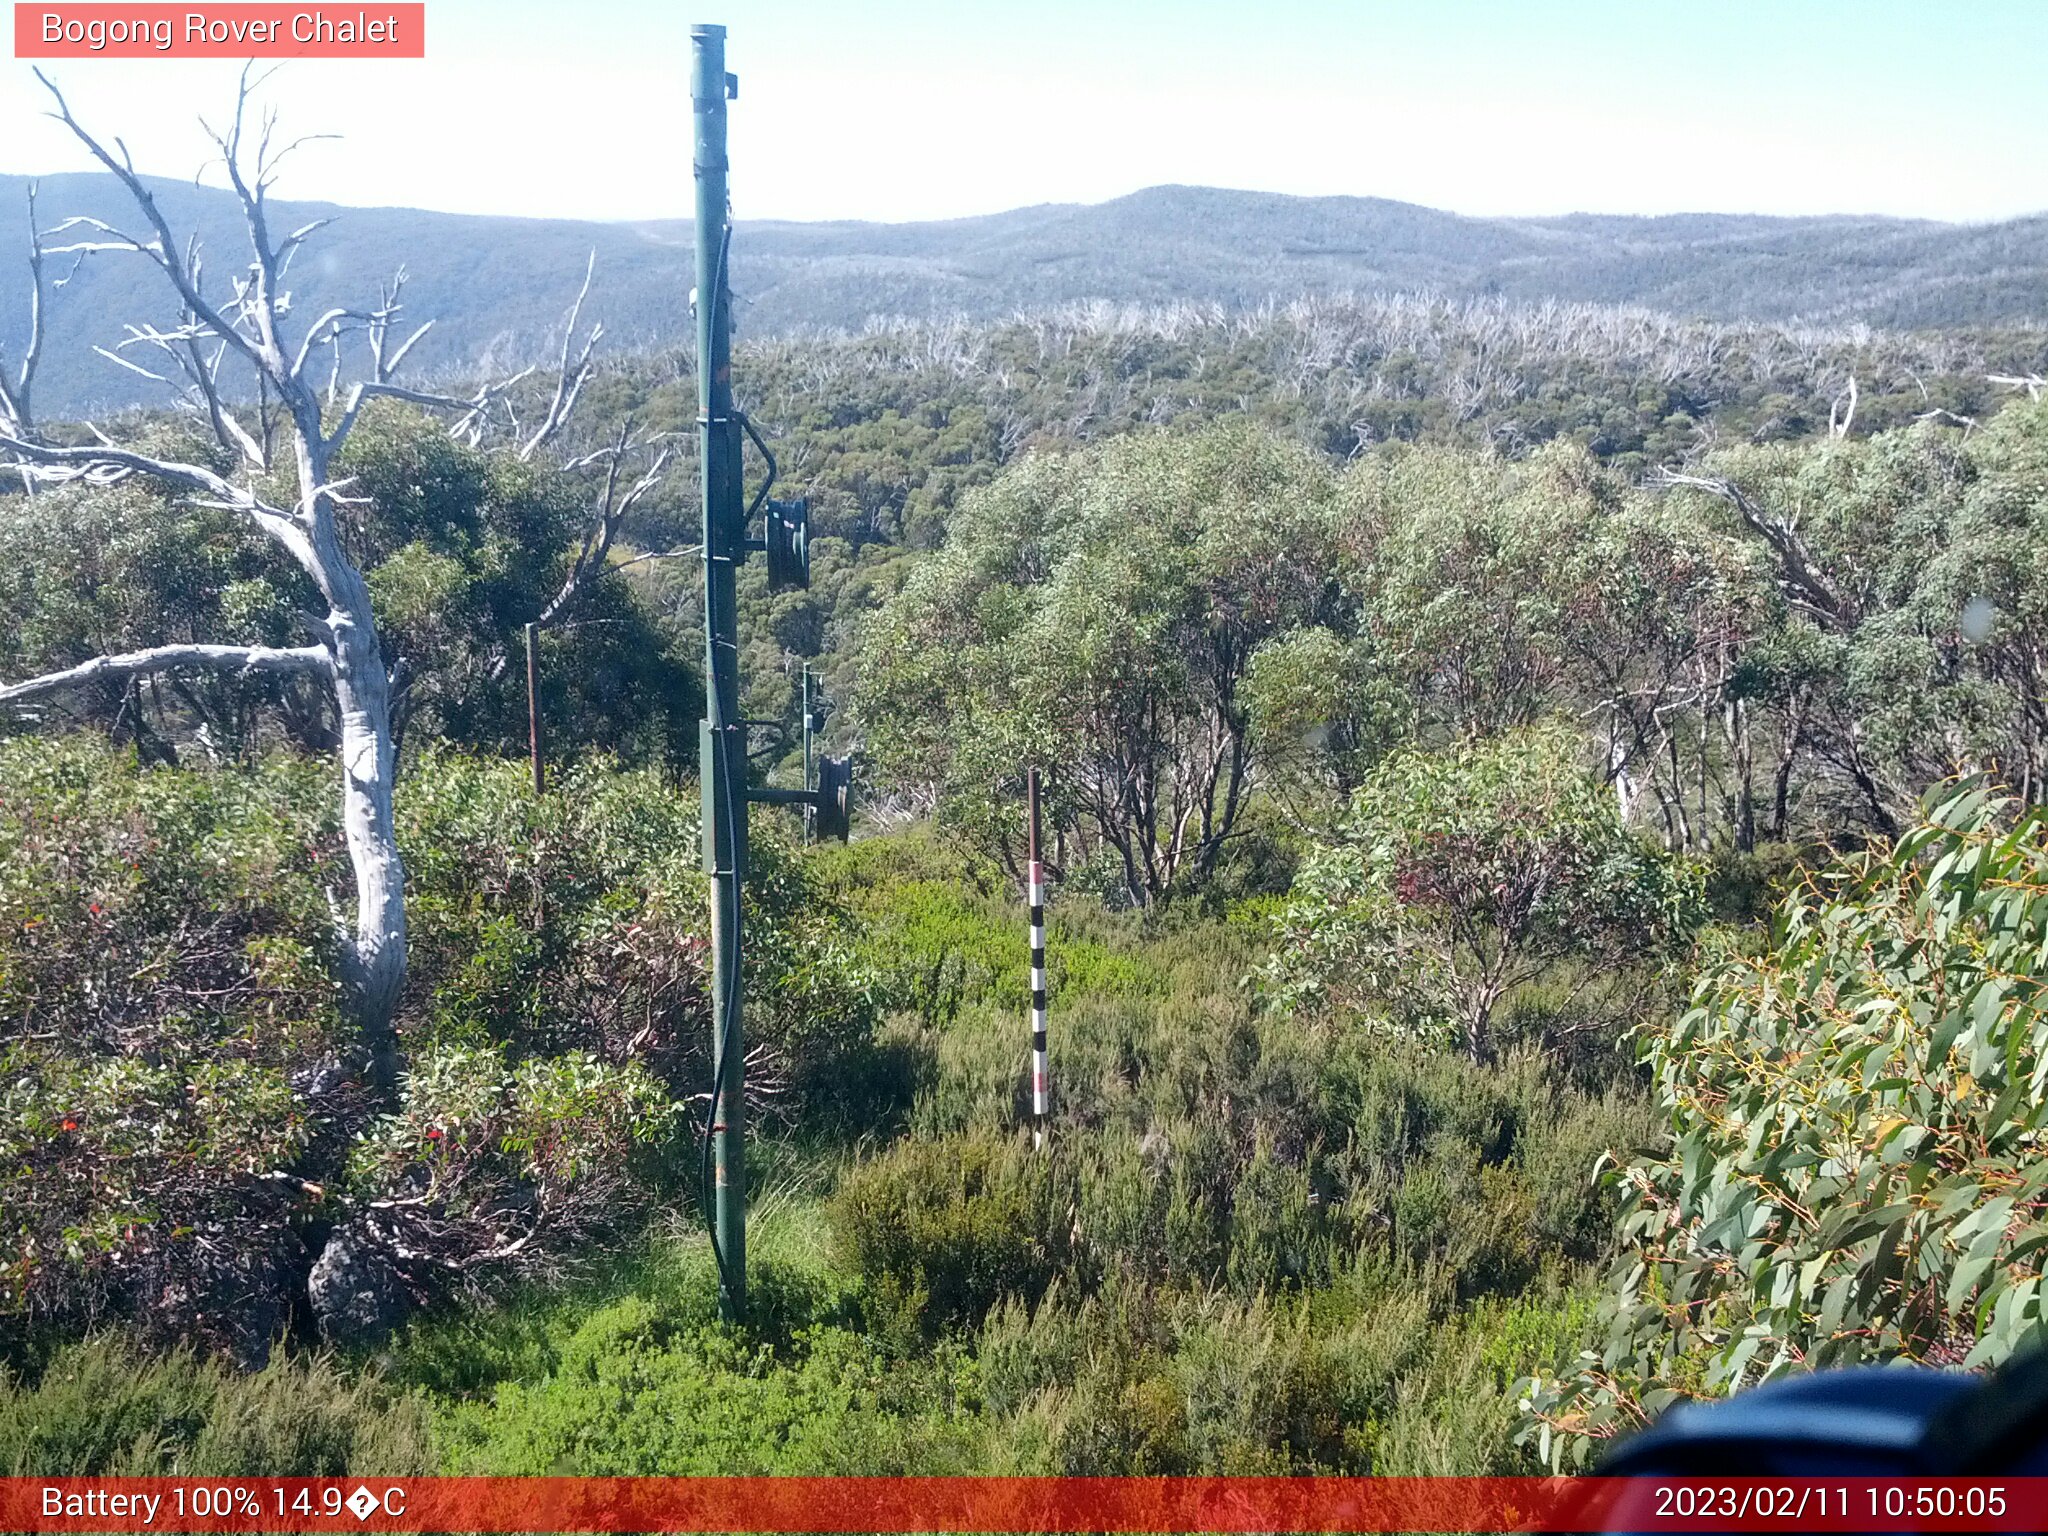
(220, 32)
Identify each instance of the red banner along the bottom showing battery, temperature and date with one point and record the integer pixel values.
(1021, 1504)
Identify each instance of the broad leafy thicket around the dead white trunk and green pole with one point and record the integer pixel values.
(183, 1107)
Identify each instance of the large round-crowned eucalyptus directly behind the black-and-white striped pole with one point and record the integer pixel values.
(1097, 615)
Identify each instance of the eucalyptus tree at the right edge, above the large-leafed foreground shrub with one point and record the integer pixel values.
(1908, 620)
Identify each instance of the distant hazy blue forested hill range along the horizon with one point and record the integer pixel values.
(501, 286)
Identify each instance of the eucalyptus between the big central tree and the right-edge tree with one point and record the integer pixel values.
(1494, 593)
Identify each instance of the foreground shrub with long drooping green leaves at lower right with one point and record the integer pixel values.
(1854, 1115)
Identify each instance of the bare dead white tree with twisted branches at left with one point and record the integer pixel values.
(265, 396)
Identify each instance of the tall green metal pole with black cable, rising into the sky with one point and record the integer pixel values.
(722, 742)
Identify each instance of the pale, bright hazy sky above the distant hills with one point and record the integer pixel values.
(919, 110)
